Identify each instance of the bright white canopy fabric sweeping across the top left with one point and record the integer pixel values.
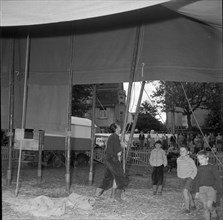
(23, 12)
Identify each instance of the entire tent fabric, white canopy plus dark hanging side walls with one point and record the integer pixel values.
(172, 47)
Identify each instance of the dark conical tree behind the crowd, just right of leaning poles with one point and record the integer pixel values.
(146, 118)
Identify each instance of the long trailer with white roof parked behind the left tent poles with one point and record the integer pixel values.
(54, 145)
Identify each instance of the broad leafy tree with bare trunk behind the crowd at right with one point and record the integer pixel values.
(169, 95)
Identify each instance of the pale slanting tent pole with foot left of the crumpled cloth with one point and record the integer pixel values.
(23, 106)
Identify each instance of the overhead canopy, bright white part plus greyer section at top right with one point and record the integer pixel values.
(23, 12)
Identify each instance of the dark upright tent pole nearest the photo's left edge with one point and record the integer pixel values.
(11, 111)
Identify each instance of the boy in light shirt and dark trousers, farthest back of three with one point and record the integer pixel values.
(158, 161)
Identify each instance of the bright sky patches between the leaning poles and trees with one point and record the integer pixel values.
(149, 88)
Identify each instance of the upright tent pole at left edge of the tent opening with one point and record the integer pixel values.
(69, 110)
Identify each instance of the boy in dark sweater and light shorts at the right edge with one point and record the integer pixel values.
(207, 183)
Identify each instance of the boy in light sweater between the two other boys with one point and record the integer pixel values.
(186, 171)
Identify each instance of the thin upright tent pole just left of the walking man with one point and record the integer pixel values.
(92, 135)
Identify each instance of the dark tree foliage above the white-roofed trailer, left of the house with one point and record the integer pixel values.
(81, 94)
